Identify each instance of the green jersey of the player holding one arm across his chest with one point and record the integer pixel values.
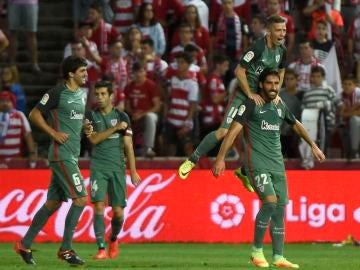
(108, 155)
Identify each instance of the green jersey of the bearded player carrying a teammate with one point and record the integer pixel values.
(262, 134)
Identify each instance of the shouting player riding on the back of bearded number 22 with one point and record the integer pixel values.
(267, 52)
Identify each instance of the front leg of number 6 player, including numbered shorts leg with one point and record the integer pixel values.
(72, 184)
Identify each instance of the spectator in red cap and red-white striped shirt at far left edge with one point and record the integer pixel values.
(16, 139)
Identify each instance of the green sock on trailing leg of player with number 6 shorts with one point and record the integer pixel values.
(39, 221)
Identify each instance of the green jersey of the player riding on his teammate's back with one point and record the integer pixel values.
(258, 58)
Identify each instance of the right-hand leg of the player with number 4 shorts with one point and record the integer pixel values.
(117, 199)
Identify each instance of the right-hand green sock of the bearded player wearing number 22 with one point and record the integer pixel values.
(277, 230)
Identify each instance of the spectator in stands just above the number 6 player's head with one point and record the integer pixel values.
(83, 35)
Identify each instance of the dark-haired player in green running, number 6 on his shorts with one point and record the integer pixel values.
(64, 106)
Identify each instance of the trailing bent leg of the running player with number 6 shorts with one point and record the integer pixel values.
(23, 247)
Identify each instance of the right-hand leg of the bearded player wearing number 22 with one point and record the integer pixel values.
(277, 224)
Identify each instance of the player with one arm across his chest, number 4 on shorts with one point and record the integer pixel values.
(112, 136)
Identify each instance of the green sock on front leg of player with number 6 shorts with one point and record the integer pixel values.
(71, 221)
